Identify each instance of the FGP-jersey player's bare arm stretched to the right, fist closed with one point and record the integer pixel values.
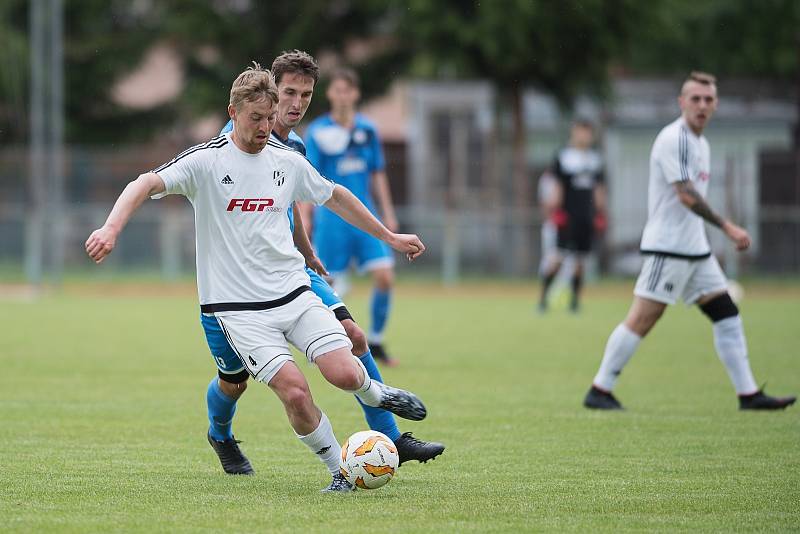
(352, 210)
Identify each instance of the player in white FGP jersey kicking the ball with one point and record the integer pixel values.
(250, 276)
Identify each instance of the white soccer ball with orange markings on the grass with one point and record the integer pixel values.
(369, 459)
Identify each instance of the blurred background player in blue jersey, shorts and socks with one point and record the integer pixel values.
(344, 146)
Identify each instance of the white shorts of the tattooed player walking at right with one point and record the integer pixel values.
(666, 278)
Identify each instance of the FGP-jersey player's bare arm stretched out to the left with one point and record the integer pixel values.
(102, 241)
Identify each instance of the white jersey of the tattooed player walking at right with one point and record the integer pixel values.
(677, 155)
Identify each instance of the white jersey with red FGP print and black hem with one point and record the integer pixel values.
(246, 258)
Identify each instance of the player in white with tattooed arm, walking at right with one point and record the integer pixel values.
(678, 262)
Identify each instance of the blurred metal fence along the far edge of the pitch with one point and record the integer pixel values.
(490, 240)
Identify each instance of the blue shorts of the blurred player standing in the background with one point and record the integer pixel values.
(337, 245)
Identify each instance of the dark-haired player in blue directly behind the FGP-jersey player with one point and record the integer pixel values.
(295, 74)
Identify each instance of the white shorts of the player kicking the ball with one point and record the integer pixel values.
(259, 338)
